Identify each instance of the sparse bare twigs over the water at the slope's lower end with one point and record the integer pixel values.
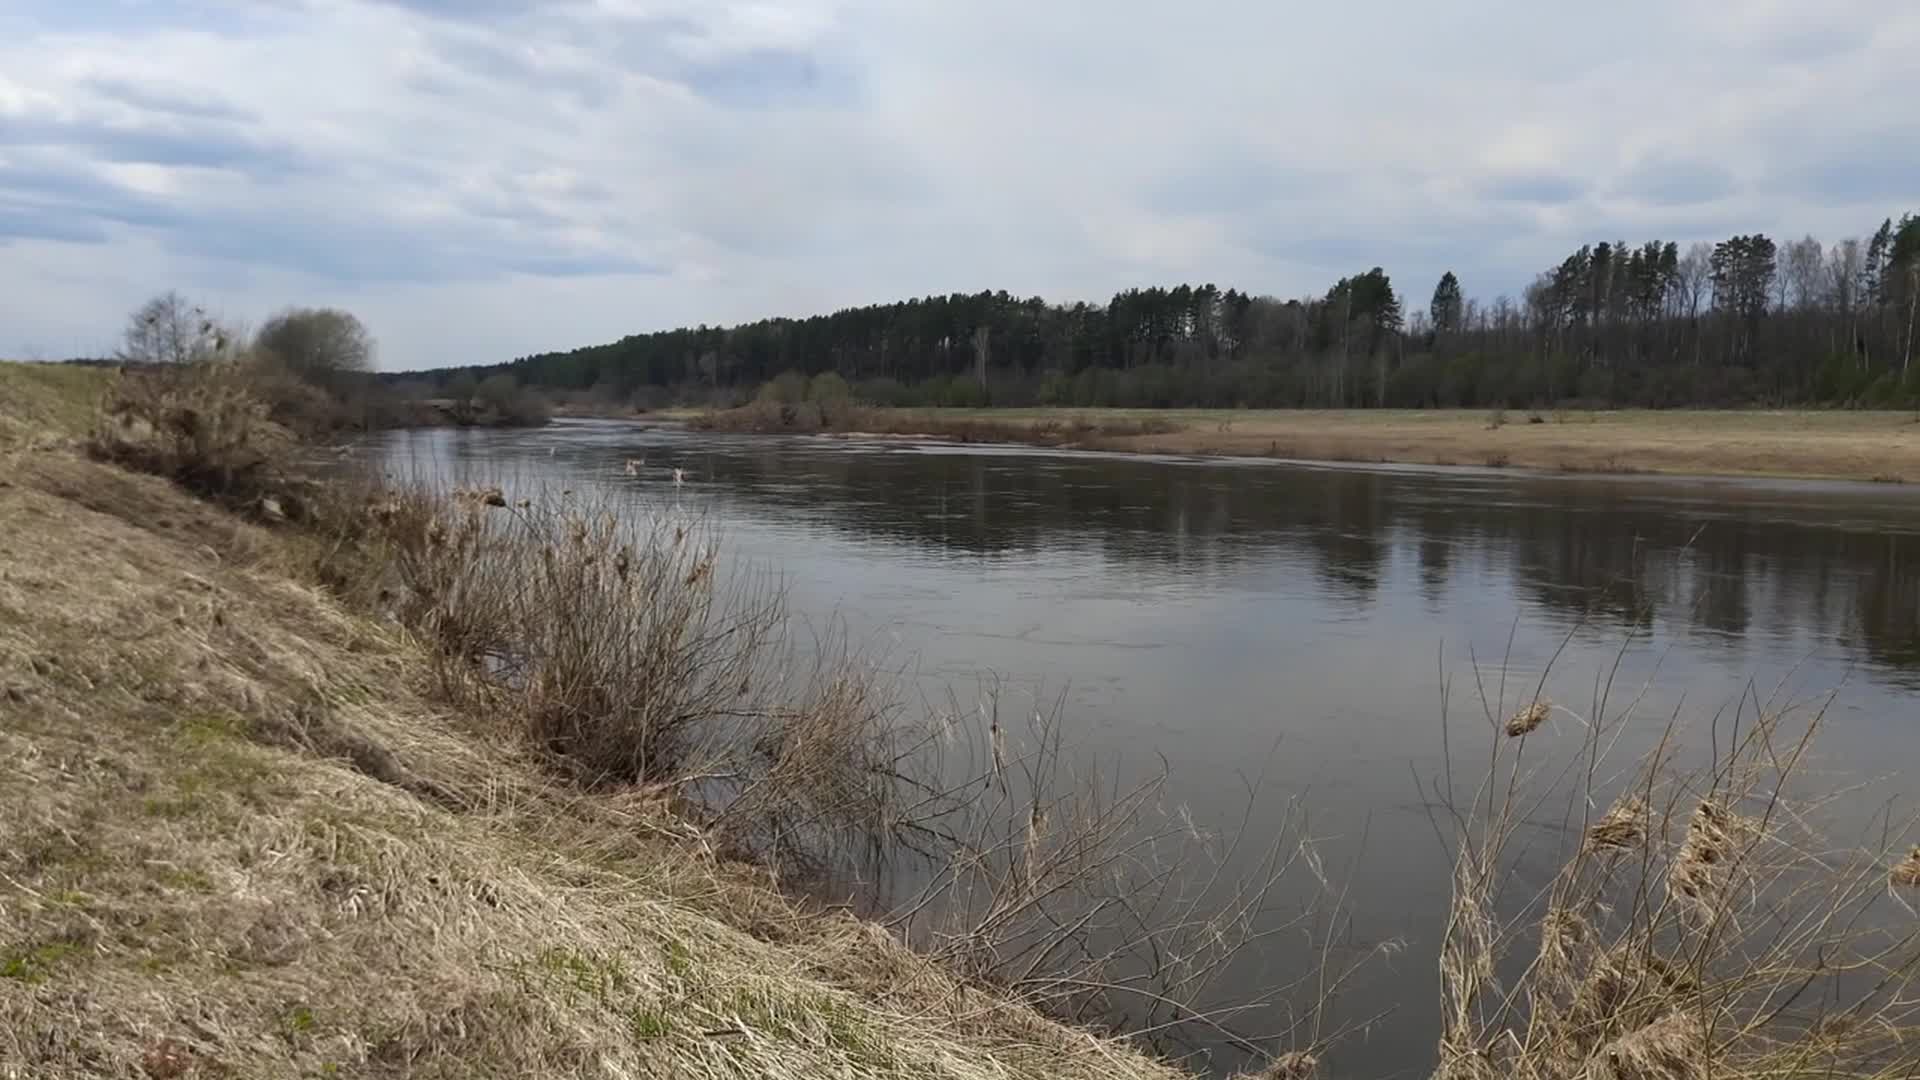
(1105, 906)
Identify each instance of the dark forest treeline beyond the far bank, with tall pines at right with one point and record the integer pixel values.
(1742, 322)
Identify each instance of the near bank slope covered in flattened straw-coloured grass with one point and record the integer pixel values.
(243, 843)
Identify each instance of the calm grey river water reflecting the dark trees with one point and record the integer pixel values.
(1299, 624)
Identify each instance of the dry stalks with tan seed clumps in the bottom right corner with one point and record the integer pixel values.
(1698, 927)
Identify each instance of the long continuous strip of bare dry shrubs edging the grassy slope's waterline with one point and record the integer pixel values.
(635, 664)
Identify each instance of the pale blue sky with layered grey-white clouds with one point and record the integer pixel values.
(483, 180)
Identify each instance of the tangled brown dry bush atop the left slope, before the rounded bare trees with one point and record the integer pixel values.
(201, 426)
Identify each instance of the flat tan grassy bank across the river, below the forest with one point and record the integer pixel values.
(1806, 445)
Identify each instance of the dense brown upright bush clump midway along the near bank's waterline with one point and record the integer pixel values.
(633, 660)
